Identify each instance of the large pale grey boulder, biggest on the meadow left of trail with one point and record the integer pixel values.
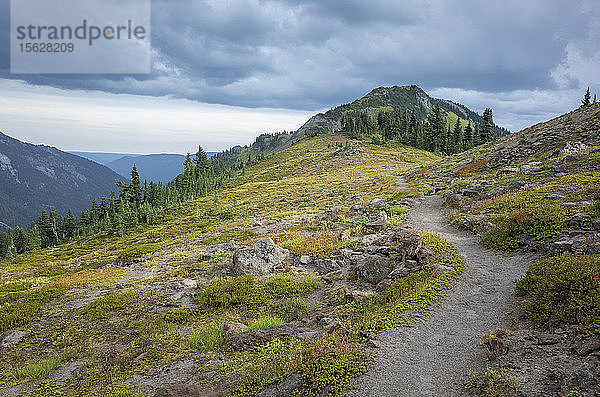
(258, 259)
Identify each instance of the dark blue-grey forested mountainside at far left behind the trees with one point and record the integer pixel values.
(36, 177)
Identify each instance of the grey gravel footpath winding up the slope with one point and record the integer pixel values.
(435, 357)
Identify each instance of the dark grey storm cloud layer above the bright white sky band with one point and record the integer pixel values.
(314, 54)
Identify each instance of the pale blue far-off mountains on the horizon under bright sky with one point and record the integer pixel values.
(153, 167)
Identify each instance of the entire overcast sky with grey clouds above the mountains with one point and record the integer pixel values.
(225, 71)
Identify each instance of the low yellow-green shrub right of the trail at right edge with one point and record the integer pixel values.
(563, 289)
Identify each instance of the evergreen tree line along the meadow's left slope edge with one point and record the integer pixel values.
(134, 204)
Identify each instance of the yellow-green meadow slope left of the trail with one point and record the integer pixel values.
(115, 303)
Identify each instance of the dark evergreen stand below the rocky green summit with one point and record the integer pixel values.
(434, 134)
